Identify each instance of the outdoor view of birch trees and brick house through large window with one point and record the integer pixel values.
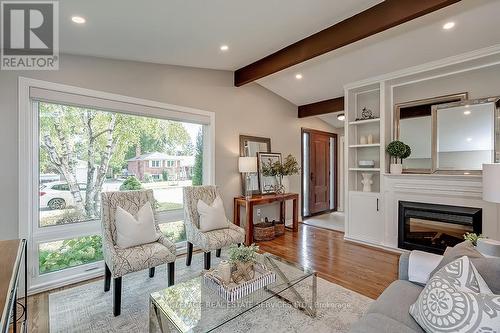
(84, 152)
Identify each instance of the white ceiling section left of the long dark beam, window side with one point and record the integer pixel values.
(190, 32)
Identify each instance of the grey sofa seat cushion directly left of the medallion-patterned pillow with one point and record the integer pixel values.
(395, 303)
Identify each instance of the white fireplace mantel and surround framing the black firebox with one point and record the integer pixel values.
(455, 190)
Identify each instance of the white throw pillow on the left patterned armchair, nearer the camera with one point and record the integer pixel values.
(132, 232)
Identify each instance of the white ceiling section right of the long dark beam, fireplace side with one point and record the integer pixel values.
(413, 43)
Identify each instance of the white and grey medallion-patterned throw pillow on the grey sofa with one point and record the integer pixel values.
(457, 299)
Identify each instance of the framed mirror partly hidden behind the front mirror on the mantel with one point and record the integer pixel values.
(413, 124)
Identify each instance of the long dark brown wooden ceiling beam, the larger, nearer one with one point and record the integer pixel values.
(383, 16)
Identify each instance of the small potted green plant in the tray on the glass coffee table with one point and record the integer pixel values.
(242, 259)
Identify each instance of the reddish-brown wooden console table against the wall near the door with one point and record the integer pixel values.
(256, 200)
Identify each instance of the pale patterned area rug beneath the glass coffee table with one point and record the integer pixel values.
(87, 308)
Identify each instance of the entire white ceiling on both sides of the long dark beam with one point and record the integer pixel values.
(189, 33)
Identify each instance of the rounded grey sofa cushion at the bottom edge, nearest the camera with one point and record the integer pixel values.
(379, 323)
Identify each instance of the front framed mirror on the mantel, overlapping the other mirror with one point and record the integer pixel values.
(465, 135)
